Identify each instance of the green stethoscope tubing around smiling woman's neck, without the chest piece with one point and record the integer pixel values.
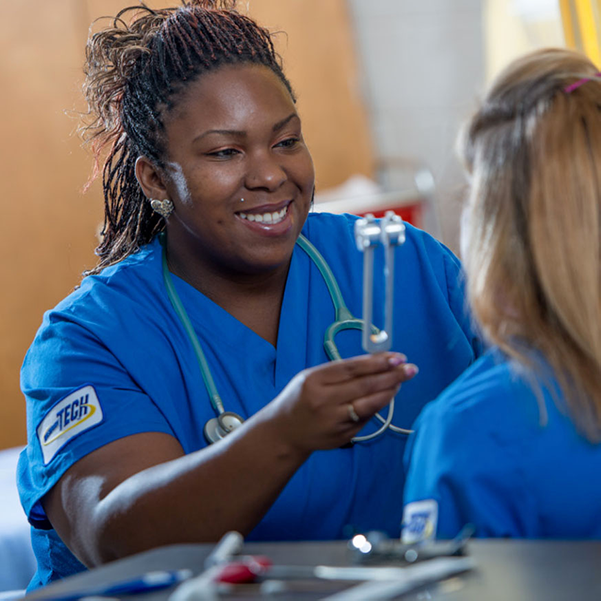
(344, 320)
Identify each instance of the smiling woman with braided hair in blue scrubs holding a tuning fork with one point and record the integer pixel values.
(208, 184)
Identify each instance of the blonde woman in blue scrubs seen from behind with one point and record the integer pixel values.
(512, 447)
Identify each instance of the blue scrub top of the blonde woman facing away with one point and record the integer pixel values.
(490, 453)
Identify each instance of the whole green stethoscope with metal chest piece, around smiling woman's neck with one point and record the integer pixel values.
(226, 421)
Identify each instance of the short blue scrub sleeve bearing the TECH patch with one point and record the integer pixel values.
(79, 398)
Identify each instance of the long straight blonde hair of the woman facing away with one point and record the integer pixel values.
(533, 259)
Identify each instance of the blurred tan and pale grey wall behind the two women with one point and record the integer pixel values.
(377, 80)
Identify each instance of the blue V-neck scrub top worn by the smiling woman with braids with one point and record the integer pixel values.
(113, 360)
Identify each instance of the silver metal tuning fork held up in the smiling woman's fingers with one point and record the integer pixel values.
(369, 232)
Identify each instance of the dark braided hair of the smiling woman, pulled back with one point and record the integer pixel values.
(135, 70)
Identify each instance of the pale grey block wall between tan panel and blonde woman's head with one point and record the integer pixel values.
(423, 68)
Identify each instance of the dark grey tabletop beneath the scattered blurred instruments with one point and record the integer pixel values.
(506, 570)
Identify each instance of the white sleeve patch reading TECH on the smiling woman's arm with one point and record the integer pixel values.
(74, 414)
